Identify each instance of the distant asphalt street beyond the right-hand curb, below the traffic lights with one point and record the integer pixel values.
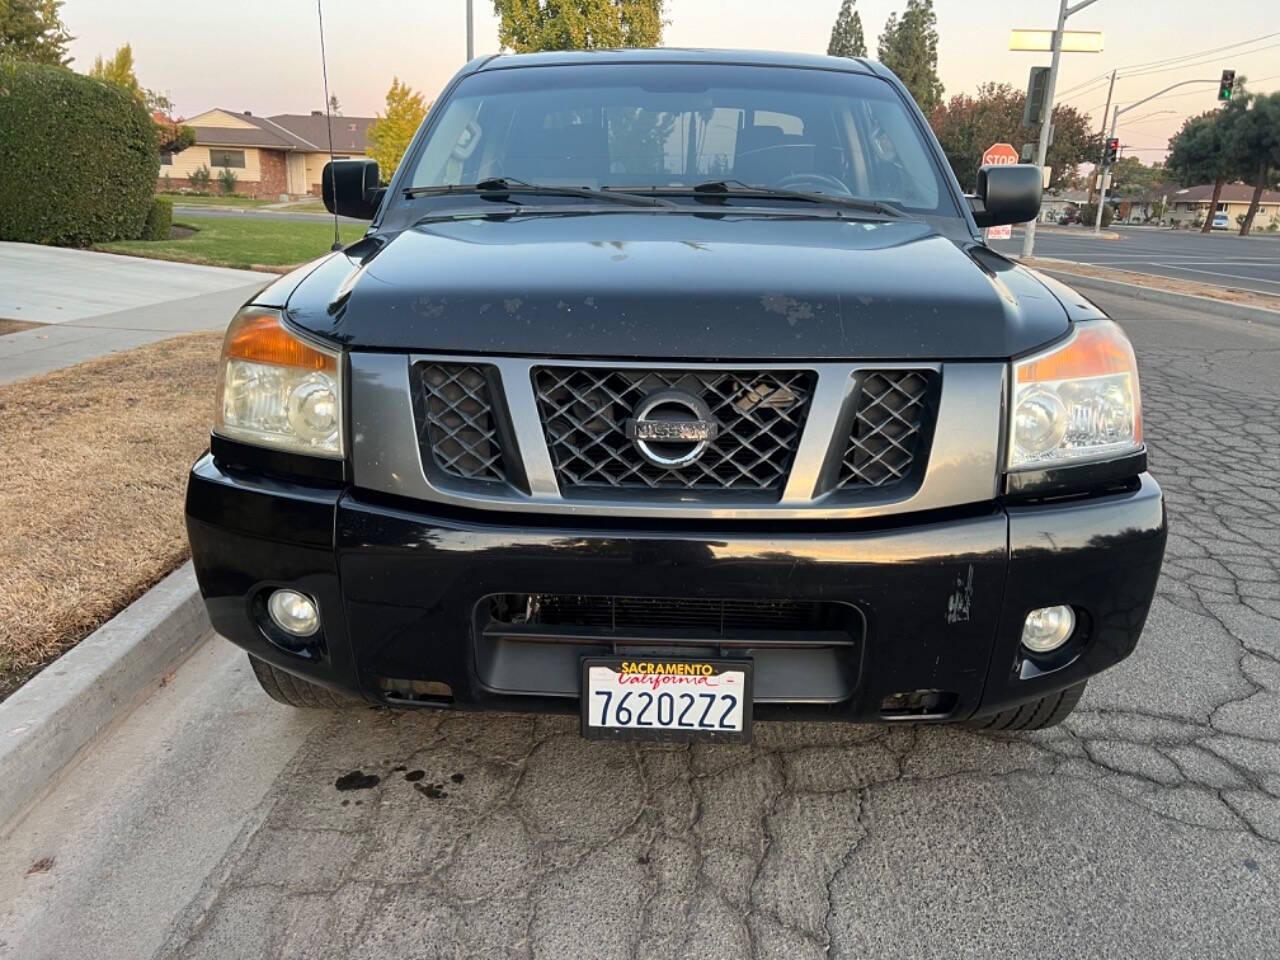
(1219, 259)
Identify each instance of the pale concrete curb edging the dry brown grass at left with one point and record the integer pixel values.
(48, 721)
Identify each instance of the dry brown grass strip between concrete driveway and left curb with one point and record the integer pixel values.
(94, 463)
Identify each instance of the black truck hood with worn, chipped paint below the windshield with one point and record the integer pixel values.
(711, 286)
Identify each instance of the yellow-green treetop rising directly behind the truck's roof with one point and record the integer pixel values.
(528, 26)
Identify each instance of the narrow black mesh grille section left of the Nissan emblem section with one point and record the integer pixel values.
(458, 423)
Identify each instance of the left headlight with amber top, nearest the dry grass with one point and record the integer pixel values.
(276, 390)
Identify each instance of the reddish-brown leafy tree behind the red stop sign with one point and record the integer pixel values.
(967, 126)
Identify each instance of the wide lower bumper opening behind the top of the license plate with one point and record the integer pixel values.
(804, 652)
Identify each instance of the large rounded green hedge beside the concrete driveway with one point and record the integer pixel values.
(80, 158)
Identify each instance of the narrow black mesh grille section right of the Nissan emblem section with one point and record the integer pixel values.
(889, 423)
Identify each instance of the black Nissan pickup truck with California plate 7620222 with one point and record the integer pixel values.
(678, 390)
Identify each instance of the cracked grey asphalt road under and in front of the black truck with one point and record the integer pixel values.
(209, 824)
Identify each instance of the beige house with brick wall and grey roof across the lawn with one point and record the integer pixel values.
(272, 157)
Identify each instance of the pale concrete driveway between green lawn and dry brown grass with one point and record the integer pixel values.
(94, 304)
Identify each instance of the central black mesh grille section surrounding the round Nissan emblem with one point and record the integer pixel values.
(584, 414)
